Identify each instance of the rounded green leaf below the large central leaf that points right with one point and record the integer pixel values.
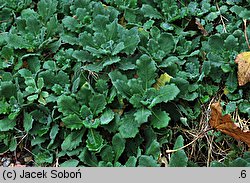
(160, 119)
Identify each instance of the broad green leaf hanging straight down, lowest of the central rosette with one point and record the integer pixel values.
(129, 126)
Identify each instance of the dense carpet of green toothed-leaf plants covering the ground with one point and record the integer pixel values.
(122, 83)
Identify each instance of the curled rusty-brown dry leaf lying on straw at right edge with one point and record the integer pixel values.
(226, 125)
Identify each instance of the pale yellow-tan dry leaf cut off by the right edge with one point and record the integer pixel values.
(243, 61)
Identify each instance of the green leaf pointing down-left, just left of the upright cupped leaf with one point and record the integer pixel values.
(72, 140)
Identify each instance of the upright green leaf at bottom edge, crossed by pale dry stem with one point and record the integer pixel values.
(179, 158)
